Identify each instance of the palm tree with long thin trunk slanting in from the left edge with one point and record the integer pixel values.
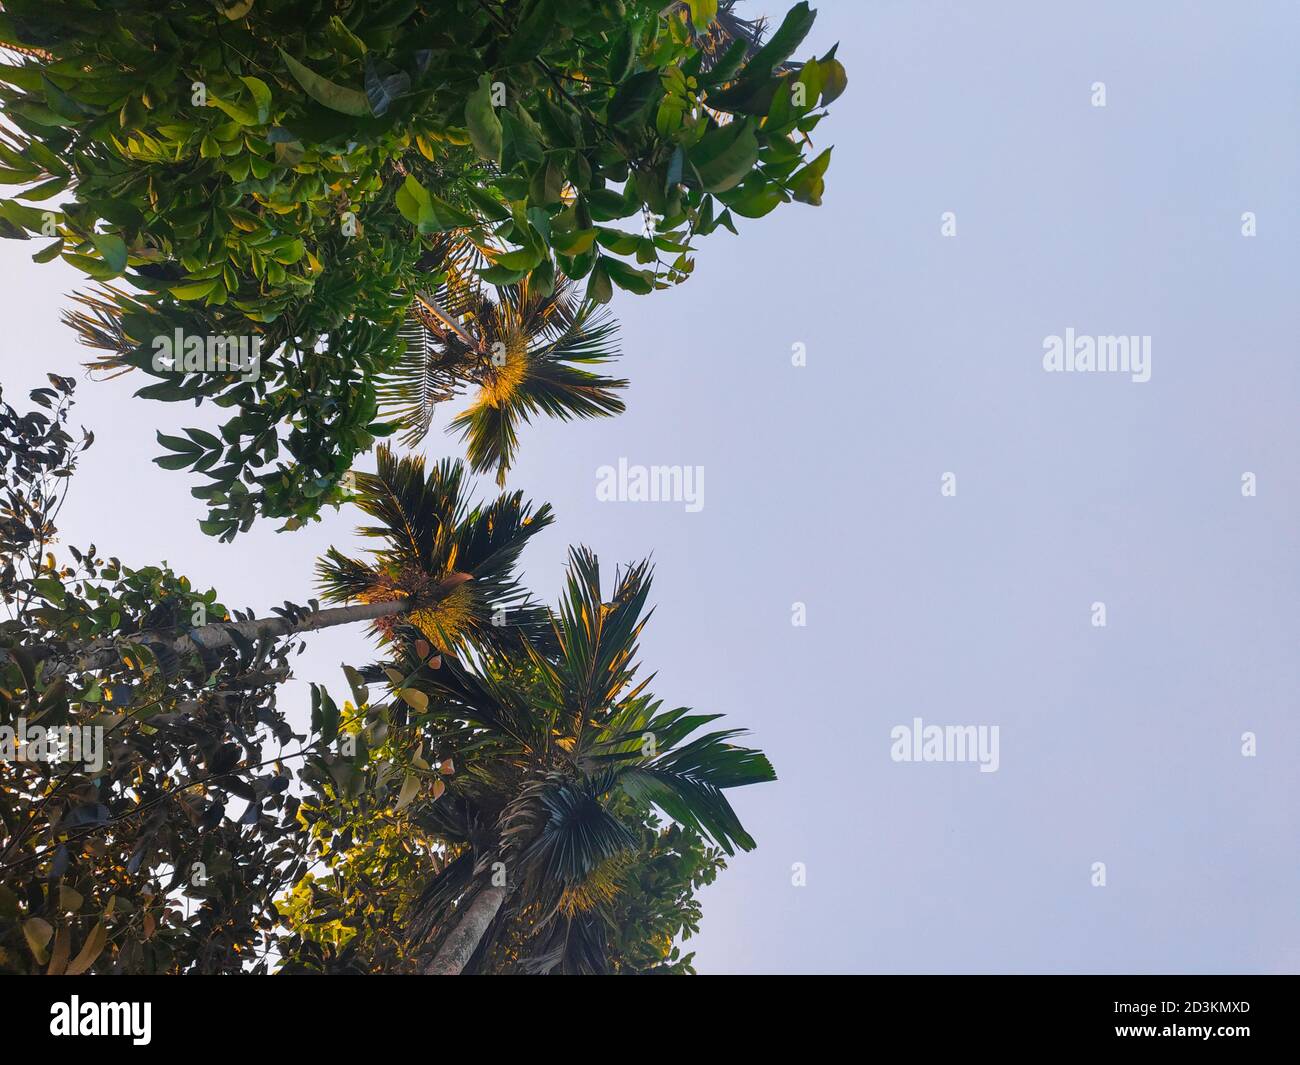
(448, 570)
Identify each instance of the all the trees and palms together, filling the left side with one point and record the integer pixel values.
(327, 219)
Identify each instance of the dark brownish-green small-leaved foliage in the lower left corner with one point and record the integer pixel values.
(163, 847)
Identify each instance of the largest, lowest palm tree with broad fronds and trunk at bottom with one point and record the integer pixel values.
(562, 743)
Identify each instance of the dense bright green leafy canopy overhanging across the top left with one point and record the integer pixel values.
(301, 174)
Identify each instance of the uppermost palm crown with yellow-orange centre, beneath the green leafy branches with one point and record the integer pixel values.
(521, 350)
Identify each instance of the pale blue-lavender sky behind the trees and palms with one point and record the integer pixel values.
(948, 513)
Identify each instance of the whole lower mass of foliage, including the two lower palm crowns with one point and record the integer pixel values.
(505, 743)
